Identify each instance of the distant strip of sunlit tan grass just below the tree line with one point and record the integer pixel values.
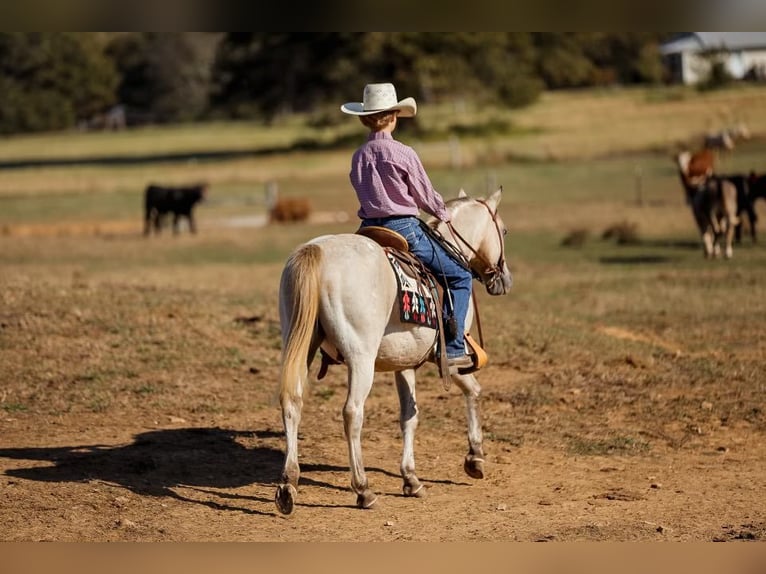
(562, 126)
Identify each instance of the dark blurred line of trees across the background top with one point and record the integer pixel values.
(55, 81)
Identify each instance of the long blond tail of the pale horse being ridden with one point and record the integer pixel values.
(300, 282)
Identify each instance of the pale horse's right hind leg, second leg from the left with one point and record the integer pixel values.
(360, 378)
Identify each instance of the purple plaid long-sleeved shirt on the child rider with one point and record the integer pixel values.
(389, 179)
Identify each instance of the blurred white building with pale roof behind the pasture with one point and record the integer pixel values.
(743, 54)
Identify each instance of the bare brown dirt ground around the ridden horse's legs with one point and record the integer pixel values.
(131, 414)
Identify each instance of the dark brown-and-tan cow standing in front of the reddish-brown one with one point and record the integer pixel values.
(714, 205)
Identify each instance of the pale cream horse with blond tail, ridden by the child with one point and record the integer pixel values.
(338, 293)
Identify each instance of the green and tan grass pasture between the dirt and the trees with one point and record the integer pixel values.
(85, 220)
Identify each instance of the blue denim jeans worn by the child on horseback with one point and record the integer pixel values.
(459, 280)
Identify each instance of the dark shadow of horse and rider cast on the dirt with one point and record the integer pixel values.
(158, 462)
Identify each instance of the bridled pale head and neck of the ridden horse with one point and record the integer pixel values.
(478, 231)
